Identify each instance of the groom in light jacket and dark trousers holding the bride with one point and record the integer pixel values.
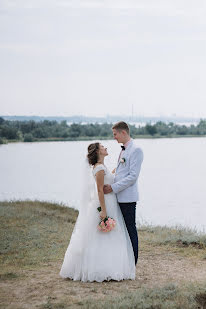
(125, 181)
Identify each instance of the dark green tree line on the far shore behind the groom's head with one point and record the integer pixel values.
(29, 131)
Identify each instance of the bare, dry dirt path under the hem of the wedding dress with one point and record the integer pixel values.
(33, 288)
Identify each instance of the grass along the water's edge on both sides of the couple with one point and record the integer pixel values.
(33, 232)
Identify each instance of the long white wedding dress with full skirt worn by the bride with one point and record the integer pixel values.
(96, 256)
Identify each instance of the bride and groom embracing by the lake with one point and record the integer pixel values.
(93, 255)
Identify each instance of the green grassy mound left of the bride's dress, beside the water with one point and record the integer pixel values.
(34, 232)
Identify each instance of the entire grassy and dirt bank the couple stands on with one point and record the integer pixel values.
(171, 271)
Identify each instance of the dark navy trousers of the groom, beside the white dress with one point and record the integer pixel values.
(129, 214)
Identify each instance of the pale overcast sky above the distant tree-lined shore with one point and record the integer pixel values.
(101, 57)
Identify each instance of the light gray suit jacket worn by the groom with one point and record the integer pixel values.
(126, 177)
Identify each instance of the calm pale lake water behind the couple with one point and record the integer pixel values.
(172, 182)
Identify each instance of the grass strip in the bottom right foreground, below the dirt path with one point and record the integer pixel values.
(167, 297)
